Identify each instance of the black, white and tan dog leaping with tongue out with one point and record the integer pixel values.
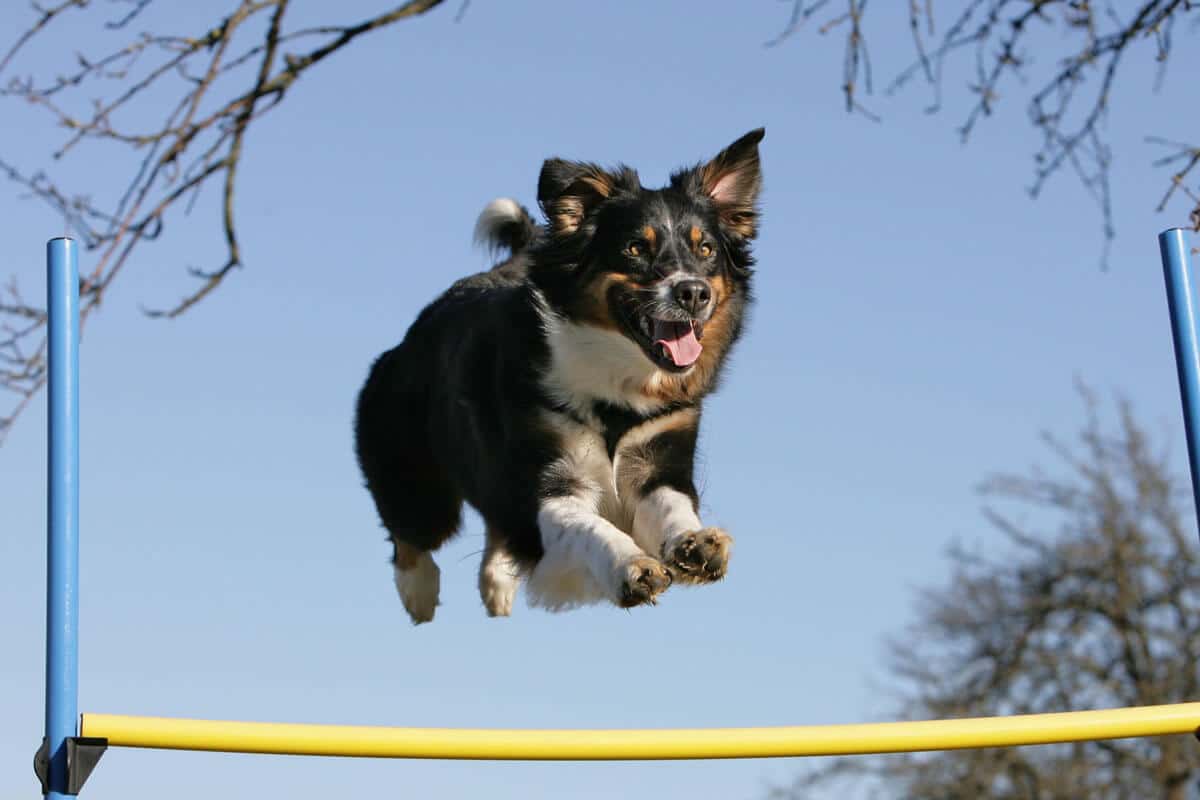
(560, 394)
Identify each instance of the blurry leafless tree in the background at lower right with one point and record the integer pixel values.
(1094, 604)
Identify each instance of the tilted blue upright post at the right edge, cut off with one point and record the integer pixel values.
(1173, 246)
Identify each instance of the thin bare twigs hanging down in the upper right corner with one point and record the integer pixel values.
(1067, 95)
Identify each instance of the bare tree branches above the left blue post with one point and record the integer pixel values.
(218, 81)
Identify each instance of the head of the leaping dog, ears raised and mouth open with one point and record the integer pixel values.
(668, 269)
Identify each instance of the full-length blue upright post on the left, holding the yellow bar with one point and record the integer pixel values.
(63, 534)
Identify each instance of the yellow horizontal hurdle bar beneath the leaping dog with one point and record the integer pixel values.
(641, 744)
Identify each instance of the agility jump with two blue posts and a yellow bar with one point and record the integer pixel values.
(74, 744)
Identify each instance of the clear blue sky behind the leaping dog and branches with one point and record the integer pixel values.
(920, 322)
